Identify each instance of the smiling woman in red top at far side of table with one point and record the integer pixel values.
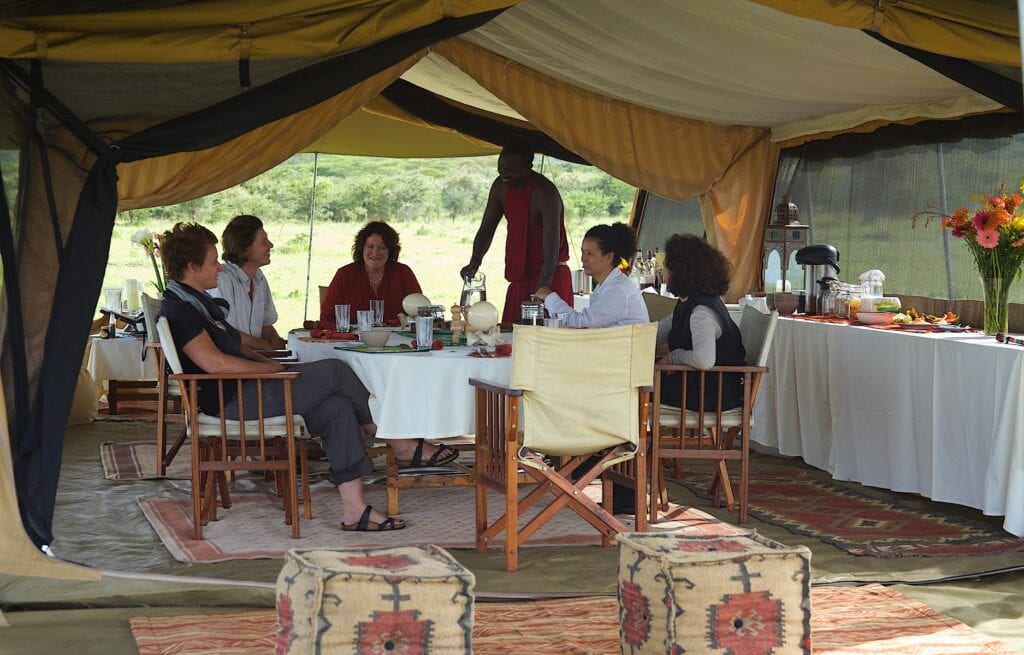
(374, 275)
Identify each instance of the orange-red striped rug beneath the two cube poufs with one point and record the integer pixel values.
(844, 622)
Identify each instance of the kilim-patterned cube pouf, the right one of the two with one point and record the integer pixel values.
(691, 595)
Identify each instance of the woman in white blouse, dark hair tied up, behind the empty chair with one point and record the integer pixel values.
(617, 301)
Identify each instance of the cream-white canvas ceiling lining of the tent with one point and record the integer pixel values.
(729, 62)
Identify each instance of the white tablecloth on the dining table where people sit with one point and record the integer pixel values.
(425, 396)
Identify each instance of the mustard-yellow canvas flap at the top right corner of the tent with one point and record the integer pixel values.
(973, 30)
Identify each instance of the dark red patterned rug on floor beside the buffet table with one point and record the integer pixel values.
(806, 503)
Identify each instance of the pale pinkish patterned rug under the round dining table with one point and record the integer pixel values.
(254, 527)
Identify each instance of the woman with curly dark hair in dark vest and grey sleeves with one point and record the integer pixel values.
(700, 333)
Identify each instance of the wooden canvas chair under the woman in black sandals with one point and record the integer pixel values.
(222, 446)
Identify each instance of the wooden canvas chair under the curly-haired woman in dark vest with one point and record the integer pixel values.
(711, 433)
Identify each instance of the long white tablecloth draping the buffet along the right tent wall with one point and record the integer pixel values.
(941, 415)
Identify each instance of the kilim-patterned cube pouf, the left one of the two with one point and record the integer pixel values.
(375, 601)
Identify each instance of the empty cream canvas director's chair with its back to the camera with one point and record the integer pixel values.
(585, 397)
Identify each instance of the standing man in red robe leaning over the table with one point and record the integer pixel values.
(536, 249)
